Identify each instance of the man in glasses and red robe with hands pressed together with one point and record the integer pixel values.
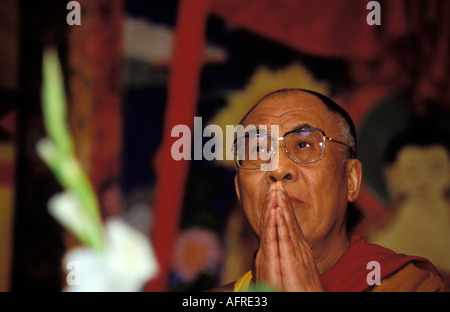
(294, 184)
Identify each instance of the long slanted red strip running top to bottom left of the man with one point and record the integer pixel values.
(181, 108)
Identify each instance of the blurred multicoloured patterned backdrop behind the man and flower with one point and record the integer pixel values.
(138, 71)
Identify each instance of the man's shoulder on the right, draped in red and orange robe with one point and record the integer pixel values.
(397, 272)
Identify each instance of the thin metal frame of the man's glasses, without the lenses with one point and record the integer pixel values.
(325, 139)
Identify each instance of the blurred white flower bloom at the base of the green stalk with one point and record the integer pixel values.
(125, 265)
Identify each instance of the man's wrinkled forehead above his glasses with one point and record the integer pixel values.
(291, 111)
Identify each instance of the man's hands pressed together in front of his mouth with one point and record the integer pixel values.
(284, 260)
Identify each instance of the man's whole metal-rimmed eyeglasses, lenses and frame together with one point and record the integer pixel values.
(304, 146)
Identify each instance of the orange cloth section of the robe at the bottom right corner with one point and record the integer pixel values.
(411, 278)
